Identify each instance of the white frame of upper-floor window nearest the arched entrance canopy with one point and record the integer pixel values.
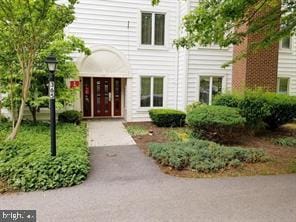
(166, 30)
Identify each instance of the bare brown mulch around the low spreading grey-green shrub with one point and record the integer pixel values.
(282, 157)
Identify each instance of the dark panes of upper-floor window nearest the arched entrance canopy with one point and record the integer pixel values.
(153, 29)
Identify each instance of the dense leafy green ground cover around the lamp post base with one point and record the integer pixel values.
(26, 164)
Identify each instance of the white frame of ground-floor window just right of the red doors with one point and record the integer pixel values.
(152, 91)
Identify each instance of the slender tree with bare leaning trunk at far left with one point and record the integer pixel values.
(28, 26)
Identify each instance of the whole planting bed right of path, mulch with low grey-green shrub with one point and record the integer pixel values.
(164, 144)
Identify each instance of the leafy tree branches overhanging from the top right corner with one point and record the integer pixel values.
(219, 22)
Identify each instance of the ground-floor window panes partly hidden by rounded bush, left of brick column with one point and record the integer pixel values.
(209, 87)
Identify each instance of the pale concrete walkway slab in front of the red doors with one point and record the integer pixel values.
(108, 133)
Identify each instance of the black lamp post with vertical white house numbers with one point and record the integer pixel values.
(52, 62)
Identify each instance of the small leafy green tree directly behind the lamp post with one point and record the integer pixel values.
(38, 94)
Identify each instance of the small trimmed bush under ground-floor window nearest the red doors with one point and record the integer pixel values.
(167, 117)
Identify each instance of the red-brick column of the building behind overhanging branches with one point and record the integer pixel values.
(257, 69)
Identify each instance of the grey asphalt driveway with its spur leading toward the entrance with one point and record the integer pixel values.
(125, 185)
